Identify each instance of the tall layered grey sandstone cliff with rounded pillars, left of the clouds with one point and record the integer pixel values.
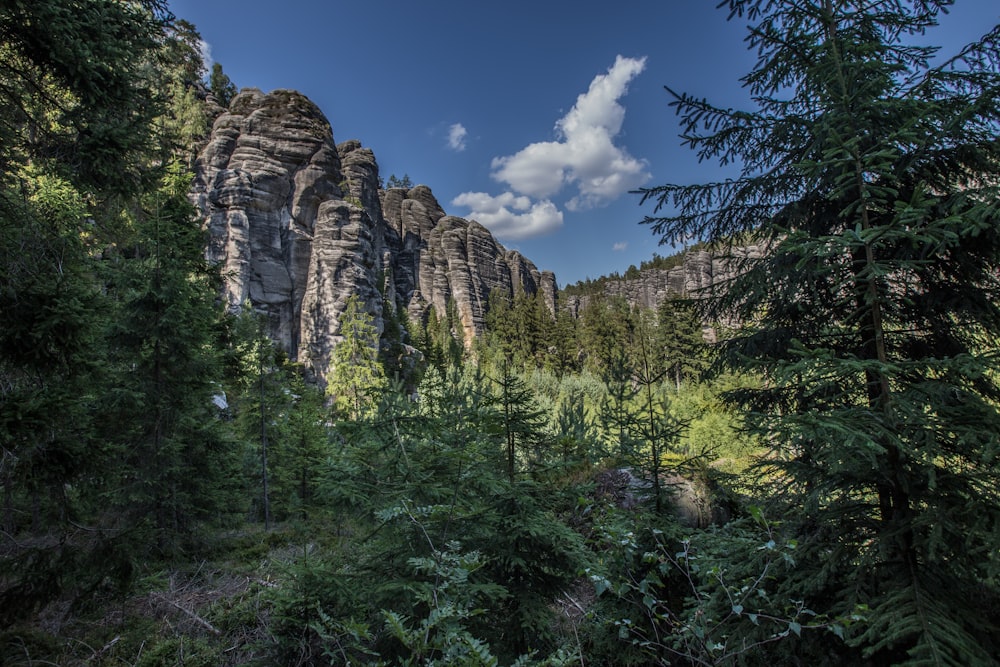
(298, 224)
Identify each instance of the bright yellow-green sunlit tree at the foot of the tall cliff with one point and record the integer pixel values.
(357, 378)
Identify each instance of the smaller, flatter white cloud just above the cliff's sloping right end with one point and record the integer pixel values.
(509, 216)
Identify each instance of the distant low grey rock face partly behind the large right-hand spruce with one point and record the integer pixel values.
(699, 273)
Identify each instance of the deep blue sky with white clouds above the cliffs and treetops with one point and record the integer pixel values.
(535, 118)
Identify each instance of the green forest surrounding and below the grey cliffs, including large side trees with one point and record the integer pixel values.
(801, 467)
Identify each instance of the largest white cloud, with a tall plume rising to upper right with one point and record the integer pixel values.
(585, 154)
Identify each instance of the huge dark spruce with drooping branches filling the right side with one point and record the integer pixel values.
(869, 172)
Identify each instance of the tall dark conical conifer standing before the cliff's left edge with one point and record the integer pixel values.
(179, 459)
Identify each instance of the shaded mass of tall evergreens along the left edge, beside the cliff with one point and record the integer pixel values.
(111, 445)
